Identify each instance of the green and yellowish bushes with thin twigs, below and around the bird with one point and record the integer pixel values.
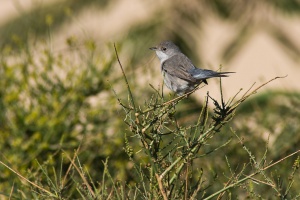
(78, 124)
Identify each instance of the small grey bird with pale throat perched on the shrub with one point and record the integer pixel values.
(180, 75)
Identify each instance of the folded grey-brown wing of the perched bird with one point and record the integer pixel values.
(179, 66)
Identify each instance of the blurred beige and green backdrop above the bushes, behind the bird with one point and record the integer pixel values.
(259, 39)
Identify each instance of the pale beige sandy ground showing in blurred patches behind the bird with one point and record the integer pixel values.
(260, 60)
